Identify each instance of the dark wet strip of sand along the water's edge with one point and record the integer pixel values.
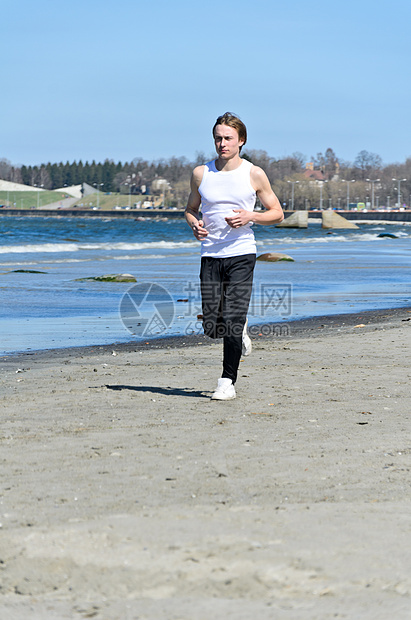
(332, 324)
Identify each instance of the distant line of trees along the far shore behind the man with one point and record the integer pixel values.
(138, 175)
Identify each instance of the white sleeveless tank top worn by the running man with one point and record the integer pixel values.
(221, 192)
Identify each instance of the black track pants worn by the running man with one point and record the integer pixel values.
(226, 285)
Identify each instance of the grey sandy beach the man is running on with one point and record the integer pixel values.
(127, 494)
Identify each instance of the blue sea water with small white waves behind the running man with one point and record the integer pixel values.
(339, 272)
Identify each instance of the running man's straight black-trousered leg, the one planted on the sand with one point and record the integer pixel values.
(238, 282)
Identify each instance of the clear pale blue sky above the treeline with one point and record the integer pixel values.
(90, 79)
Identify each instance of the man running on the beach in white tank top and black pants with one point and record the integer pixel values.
(226, 189)
